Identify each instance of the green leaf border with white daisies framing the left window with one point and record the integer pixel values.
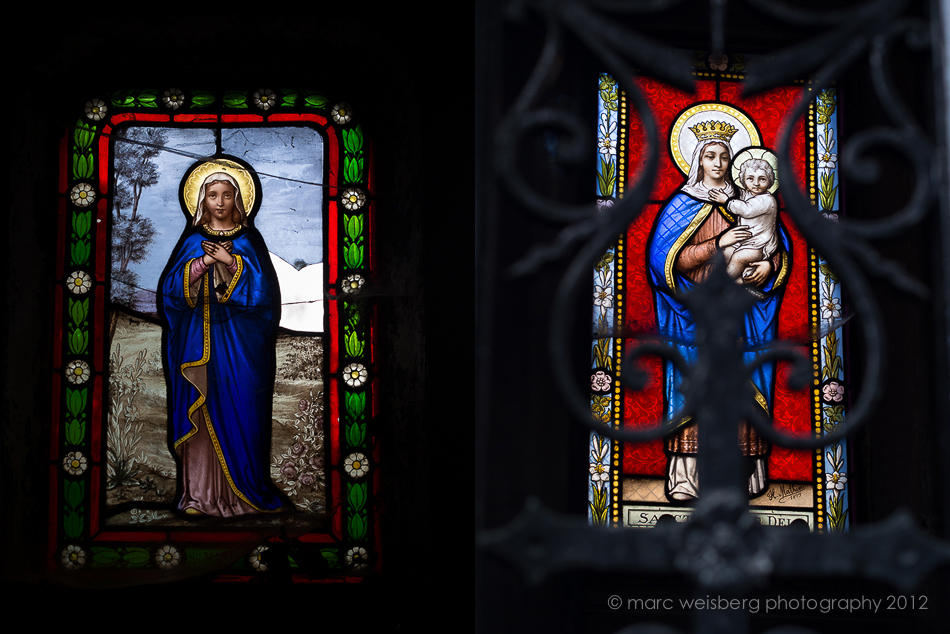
(78, 366)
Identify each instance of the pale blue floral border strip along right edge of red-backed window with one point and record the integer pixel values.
(831, 382)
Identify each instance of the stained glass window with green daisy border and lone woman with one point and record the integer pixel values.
(214, 378)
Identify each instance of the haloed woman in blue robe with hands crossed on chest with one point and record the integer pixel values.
(221, 306)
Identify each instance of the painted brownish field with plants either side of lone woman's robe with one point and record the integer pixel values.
(141, 467)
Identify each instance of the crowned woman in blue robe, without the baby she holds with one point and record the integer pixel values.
(688, 232)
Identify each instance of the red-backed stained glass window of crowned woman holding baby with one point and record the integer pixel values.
(711, 143)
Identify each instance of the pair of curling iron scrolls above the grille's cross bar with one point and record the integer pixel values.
(843, 244)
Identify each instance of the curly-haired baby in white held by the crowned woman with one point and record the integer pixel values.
(756, 211)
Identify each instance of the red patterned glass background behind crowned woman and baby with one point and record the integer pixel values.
(792, 410)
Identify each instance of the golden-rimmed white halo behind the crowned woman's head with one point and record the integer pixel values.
(710, 114)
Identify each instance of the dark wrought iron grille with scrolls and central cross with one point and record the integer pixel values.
(539, 542)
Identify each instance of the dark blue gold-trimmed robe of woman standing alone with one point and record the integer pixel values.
(219, 347)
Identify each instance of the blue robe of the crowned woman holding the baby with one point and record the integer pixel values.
(679, 220)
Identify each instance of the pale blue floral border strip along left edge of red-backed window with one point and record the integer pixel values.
(603, 377)
